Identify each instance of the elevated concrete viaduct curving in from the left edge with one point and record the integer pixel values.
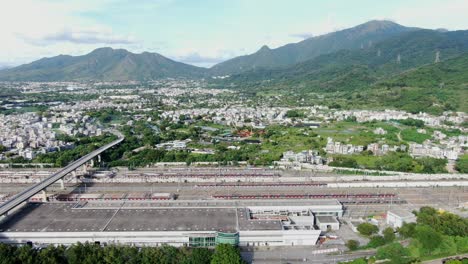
(31, 191)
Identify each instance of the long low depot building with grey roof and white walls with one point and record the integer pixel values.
(177, 223)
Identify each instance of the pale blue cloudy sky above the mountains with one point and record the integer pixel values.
(198, 32)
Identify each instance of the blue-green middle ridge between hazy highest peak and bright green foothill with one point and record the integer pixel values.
(358, 68)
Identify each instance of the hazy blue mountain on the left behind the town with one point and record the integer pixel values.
(105, 64)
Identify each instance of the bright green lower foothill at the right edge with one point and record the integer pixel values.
(432, 88)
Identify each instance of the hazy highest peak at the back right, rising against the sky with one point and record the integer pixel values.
(361, 36)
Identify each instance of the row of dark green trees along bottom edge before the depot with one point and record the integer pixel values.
(114, 254)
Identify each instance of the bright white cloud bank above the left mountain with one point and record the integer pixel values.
(32, 29)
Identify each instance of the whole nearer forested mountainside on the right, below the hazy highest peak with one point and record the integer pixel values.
(361, 78)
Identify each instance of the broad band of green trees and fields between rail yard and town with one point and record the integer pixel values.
(268, 145)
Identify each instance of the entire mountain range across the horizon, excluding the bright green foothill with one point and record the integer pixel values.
(368, 51)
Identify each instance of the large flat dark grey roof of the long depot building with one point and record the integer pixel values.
(62, 218)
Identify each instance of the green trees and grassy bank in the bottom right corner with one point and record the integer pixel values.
(435, 234)
